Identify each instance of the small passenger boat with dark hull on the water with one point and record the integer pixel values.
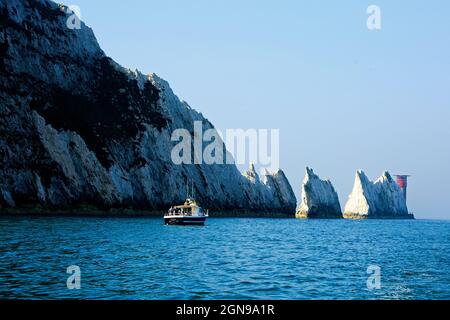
(190, 213)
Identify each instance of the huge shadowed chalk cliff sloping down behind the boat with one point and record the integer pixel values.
(78, 129)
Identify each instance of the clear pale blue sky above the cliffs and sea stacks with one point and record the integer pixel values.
(343, 97)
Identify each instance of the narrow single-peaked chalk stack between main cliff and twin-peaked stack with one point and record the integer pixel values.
(319, 199)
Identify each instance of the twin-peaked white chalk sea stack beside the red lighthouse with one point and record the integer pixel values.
(380, 199)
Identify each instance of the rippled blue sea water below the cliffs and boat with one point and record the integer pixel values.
(229, 258)
